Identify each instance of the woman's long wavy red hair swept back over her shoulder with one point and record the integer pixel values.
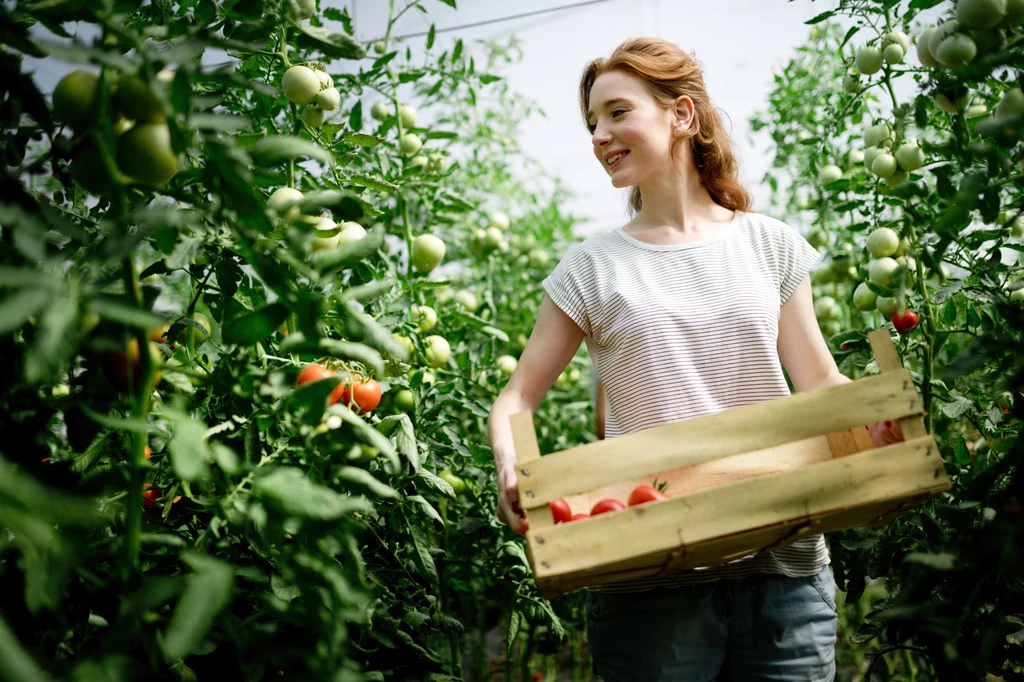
(669, 72)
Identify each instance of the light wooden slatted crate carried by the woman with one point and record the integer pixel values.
(744, 481)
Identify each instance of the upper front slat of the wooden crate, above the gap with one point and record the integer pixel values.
(692, 442)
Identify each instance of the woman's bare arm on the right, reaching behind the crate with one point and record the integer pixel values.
(807, 359)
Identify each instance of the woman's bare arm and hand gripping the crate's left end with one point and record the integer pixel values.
(554, 342)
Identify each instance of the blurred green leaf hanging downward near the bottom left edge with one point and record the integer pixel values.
(207, 591)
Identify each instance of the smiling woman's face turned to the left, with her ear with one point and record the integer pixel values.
(632, 135)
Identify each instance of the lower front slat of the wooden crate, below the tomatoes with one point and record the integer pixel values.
(902, 470)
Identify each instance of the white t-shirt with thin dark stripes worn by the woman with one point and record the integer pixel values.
(696, 326)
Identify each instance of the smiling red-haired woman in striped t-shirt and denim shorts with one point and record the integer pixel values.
(702, 303)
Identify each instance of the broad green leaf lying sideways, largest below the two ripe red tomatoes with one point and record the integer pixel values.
(290, 491)
